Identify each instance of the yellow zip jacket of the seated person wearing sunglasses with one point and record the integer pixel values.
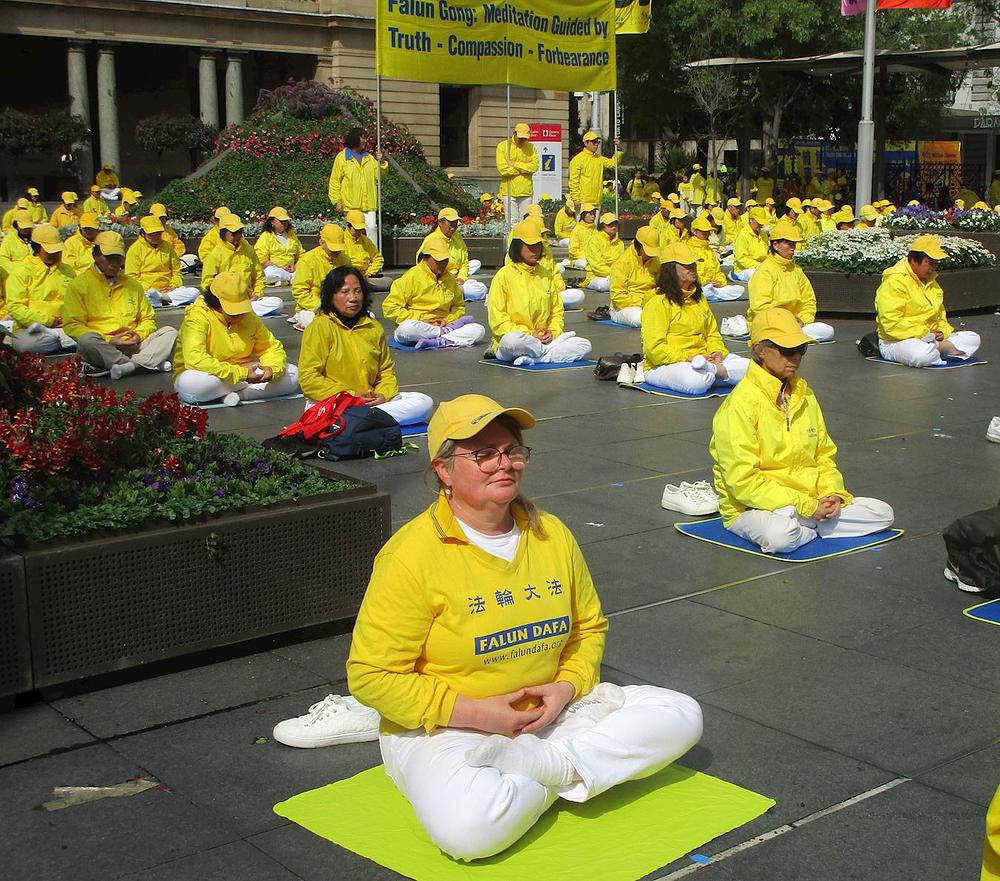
(765, 459)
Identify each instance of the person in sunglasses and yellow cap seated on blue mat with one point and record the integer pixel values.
(775, 469)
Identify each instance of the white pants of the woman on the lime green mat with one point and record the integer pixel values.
(472, 813)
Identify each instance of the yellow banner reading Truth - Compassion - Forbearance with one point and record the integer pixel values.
(540, 44)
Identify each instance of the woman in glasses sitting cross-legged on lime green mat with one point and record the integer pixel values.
(479, 642)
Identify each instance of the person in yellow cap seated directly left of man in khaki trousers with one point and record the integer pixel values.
(35, 291)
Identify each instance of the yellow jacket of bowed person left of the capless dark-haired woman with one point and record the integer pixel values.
(208, 343)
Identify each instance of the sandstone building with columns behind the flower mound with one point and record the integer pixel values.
(116, 62)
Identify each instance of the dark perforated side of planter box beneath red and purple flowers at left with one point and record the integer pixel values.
(122, 600)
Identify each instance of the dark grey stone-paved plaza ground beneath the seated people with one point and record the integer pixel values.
(852, 690)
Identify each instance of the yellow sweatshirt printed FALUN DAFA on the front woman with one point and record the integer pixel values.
(442, 618)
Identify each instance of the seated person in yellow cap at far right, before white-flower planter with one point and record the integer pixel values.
(913, 328)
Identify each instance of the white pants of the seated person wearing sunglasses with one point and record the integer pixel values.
(781, 531)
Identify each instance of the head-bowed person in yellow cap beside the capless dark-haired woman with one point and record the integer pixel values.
(225, 351)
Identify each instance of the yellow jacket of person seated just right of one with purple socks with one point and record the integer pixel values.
(524, 298)
